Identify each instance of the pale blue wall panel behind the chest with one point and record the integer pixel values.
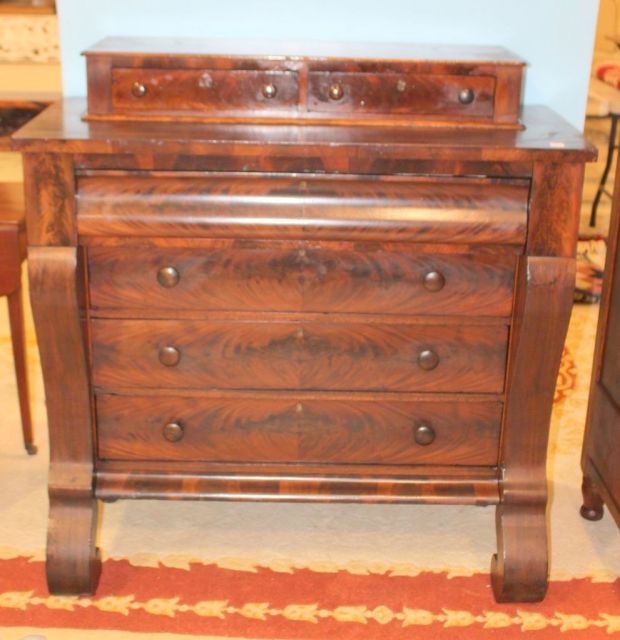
(554, 36)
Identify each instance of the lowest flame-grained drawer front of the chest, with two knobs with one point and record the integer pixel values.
(297, 430)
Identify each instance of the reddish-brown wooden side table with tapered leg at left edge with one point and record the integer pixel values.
(12, 254)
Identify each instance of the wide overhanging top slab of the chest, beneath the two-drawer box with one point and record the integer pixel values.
(546, 137)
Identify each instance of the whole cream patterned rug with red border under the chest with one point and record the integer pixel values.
(174, 570)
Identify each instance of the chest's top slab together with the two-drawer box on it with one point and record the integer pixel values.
(271, 99)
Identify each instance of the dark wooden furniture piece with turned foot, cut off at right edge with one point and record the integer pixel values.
(601, 446)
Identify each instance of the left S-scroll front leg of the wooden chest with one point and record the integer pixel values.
(73, 563)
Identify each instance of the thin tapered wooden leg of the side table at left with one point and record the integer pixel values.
(18, 338)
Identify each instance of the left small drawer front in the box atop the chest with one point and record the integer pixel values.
(202, 89)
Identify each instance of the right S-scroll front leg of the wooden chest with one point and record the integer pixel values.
(543, 304)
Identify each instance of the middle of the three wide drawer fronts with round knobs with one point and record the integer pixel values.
(298, 355)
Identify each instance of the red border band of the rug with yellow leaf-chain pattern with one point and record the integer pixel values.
(288, 602)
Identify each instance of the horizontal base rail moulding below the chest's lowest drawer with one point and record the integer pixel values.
(425, 484)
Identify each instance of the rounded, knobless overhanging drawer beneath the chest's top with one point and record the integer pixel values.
(405, 209)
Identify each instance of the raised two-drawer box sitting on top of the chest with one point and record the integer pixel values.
(225, 86)
